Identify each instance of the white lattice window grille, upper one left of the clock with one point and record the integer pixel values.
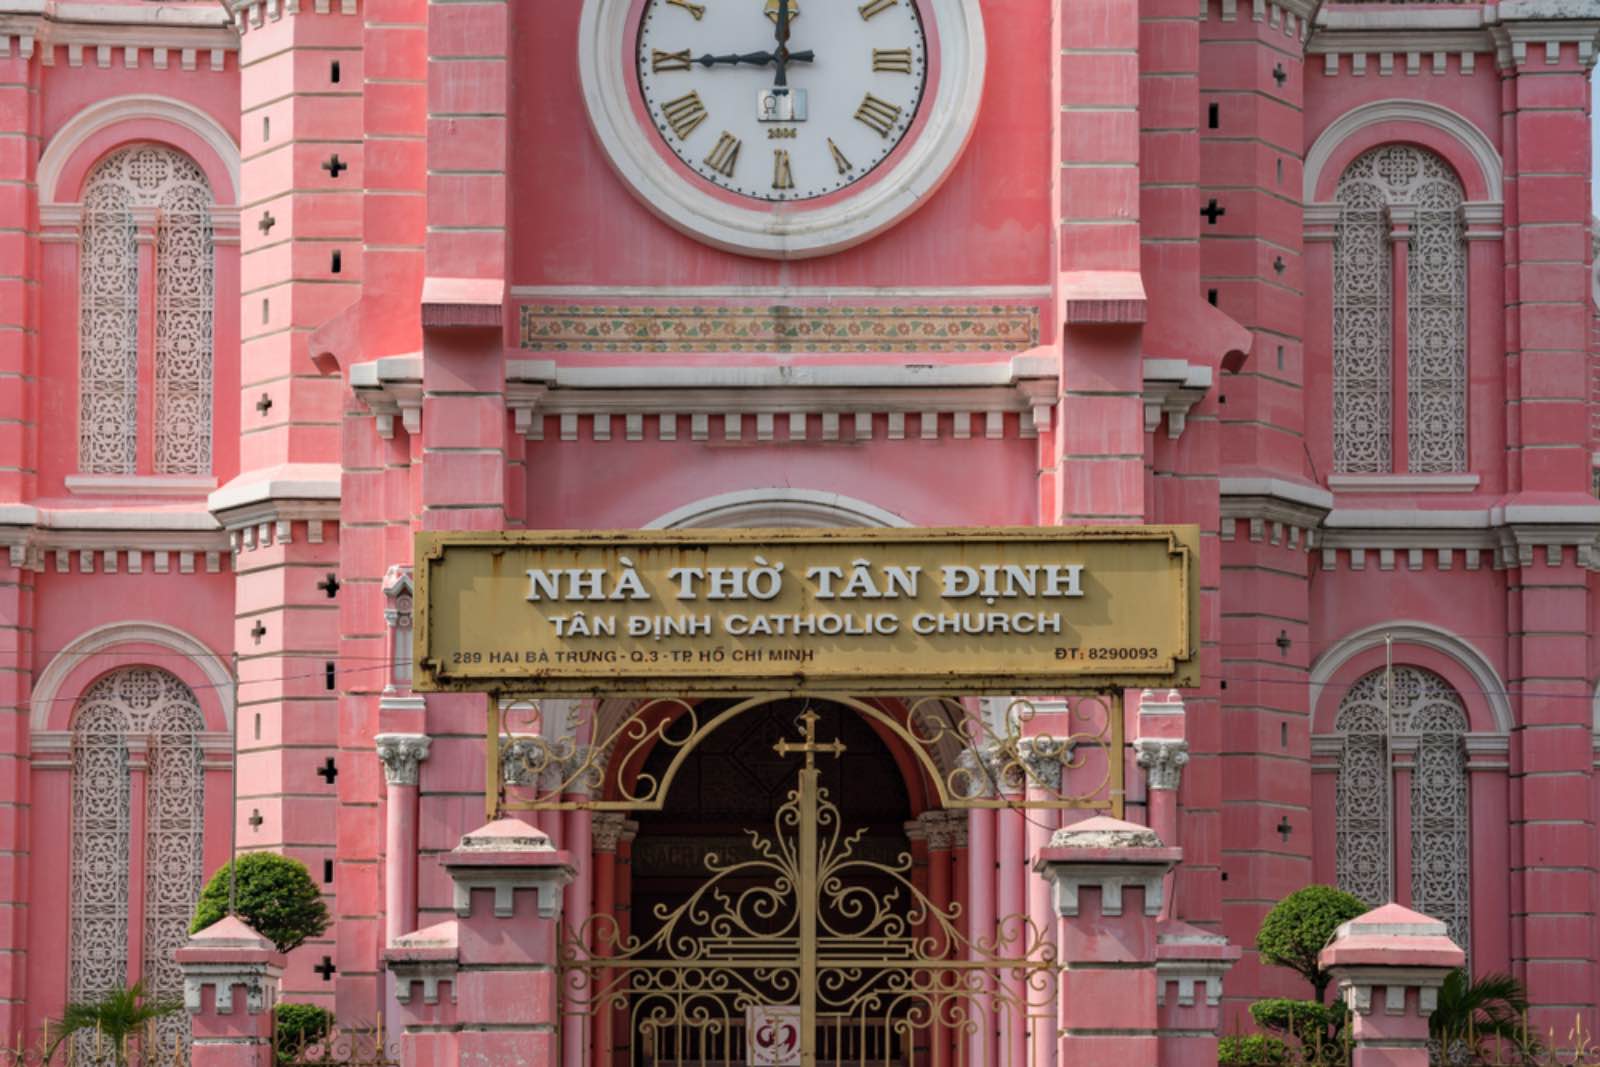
(146, 194)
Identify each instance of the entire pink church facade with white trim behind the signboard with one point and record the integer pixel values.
(290, 281)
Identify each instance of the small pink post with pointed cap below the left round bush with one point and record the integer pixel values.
(231, 986)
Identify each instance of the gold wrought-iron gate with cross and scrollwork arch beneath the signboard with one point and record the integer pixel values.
(804, 951)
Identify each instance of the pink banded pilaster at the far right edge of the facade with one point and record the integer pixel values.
(1546, 135)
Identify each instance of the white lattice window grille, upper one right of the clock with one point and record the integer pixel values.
(1399, 199)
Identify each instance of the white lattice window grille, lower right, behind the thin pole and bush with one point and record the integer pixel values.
(1426, 717)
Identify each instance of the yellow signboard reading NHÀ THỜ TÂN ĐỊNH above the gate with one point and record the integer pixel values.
(890, 612)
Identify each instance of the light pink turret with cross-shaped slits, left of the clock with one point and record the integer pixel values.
(302, 76)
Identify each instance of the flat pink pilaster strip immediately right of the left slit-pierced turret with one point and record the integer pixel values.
(377, 492)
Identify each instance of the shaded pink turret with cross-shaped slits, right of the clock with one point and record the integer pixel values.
(1250, 239)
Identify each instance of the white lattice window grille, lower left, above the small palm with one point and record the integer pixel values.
(130, 713)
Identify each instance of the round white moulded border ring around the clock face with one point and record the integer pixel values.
(785, 230)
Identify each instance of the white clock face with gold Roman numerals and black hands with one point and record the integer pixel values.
(782, 105)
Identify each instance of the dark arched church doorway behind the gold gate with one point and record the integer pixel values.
(775, 892)
